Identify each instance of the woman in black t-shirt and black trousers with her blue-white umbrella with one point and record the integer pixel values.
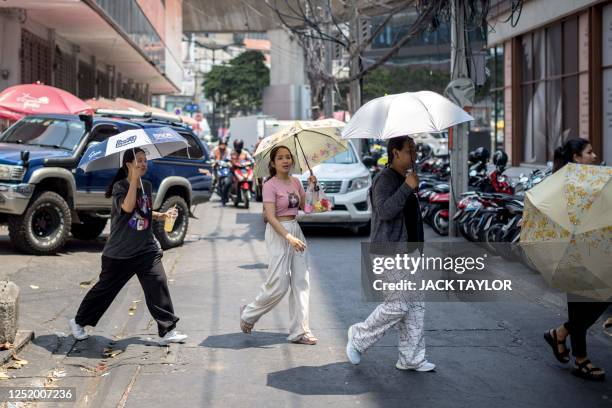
(131, 248)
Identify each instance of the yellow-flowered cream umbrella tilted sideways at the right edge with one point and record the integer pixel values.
(567, 230)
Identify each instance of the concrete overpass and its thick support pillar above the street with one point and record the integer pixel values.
(288, 96)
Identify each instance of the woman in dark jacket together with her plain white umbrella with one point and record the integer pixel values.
(396, 216)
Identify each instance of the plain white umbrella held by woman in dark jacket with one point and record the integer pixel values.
(404, 114)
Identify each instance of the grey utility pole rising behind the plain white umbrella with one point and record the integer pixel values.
(459, 147)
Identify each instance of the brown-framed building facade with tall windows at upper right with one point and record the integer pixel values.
(552, 76)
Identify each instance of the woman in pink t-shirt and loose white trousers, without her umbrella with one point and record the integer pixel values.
(283, 195)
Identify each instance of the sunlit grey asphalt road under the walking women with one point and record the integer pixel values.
(487, 354)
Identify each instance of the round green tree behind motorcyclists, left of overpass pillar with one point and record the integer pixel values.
(238, 87)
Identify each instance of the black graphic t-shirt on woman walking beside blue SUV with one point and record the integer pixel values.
(131, 233)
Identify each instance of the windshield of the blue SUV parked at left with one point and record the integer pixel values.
(47, 132)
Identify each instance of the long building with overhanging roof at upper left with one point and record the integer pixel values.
(93, 48)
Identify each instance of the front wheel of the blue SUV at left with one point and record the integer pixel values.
(44, 227)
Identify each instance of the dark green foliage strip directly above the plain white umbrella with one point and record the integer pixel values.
(384, 80)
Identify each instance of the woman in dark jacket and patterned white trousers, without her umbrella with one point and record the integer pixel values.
(396, 219)
